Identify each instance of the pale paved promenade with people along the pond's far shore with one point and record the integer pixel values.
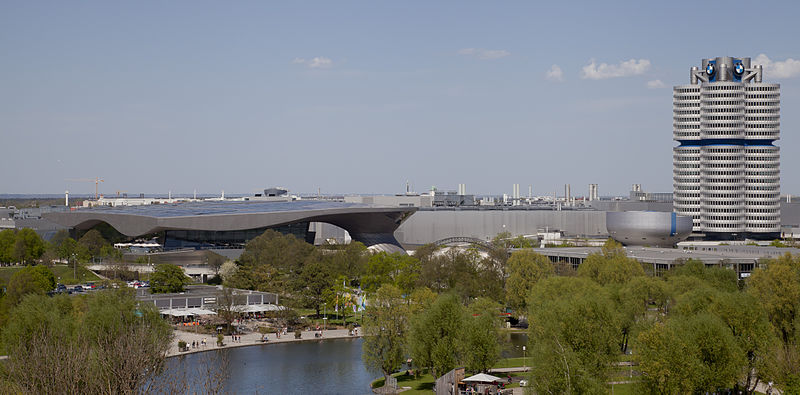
(250, 339)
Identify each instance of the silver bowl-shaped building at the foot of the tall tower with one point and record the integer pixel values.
(648, 228)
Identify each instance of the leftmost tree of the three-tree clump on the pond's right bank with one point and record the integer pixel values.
(385, 327)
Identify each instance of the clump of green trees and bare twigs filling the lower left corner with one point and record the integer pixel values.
(101, 343)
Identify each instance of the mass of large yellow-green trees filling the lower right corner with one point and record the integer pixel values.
(696, 330)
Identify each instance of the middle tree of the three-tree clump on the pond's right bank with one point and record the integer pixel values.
(434, 338)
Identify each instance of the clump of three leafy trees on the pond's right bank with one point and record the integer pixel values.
(438, 332)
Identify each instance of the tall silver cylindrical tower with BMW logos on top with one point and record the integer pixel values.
(726, 168)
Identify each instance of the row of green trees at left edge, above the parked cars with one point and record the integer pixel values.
(25, 246)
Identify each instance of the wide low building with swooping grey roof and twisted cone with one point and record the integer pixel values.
(224, 224)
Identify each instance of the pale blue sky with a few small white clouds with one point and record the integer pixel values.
(358, 97)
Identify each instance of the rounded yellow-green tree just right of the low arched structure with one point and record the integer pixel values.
(525, 269)
